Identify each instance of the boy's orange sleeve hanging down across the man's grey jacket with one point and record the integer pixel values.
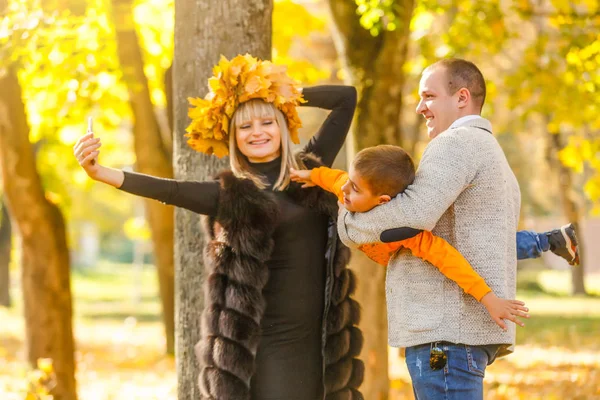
(449, 261)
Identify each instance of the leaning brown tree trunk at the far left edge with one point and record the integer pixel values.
(45, 263)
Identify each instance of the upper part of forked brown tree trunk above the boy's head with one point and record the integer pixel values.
(375, 66)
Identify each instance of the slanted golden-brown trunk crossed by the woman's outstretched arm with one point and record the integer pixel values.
(152, 155)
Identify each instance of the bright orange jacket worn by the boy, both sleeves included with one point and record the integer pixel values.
(424, 245)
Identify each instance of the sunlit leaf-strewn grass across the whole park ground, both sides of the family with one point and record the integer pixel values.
(120, 341)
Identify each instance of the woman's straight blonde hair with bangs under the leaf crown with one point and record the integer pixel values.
(258, 108)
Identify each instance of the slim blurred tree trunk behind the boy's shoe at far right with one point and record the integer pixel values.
(570, 208)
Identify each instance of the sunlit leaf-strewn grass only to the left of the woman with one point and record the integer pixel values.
(119, 337)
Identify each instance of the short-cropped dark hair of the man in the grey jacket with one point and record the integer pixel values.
(463, 74)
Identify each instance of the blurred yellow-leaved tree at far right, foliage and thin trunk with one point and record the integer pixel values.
(563, 62)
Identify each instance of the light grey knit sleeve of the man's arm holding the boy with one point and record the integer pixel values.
(447, 167)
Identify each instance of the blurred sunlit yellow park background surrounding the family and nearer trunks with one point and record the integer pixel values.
(541, 61)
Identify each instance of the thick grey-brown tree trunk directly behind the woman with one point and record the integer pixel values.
(204, 30)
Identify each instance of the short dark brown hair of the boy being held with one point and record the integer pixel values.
(387, 169)
